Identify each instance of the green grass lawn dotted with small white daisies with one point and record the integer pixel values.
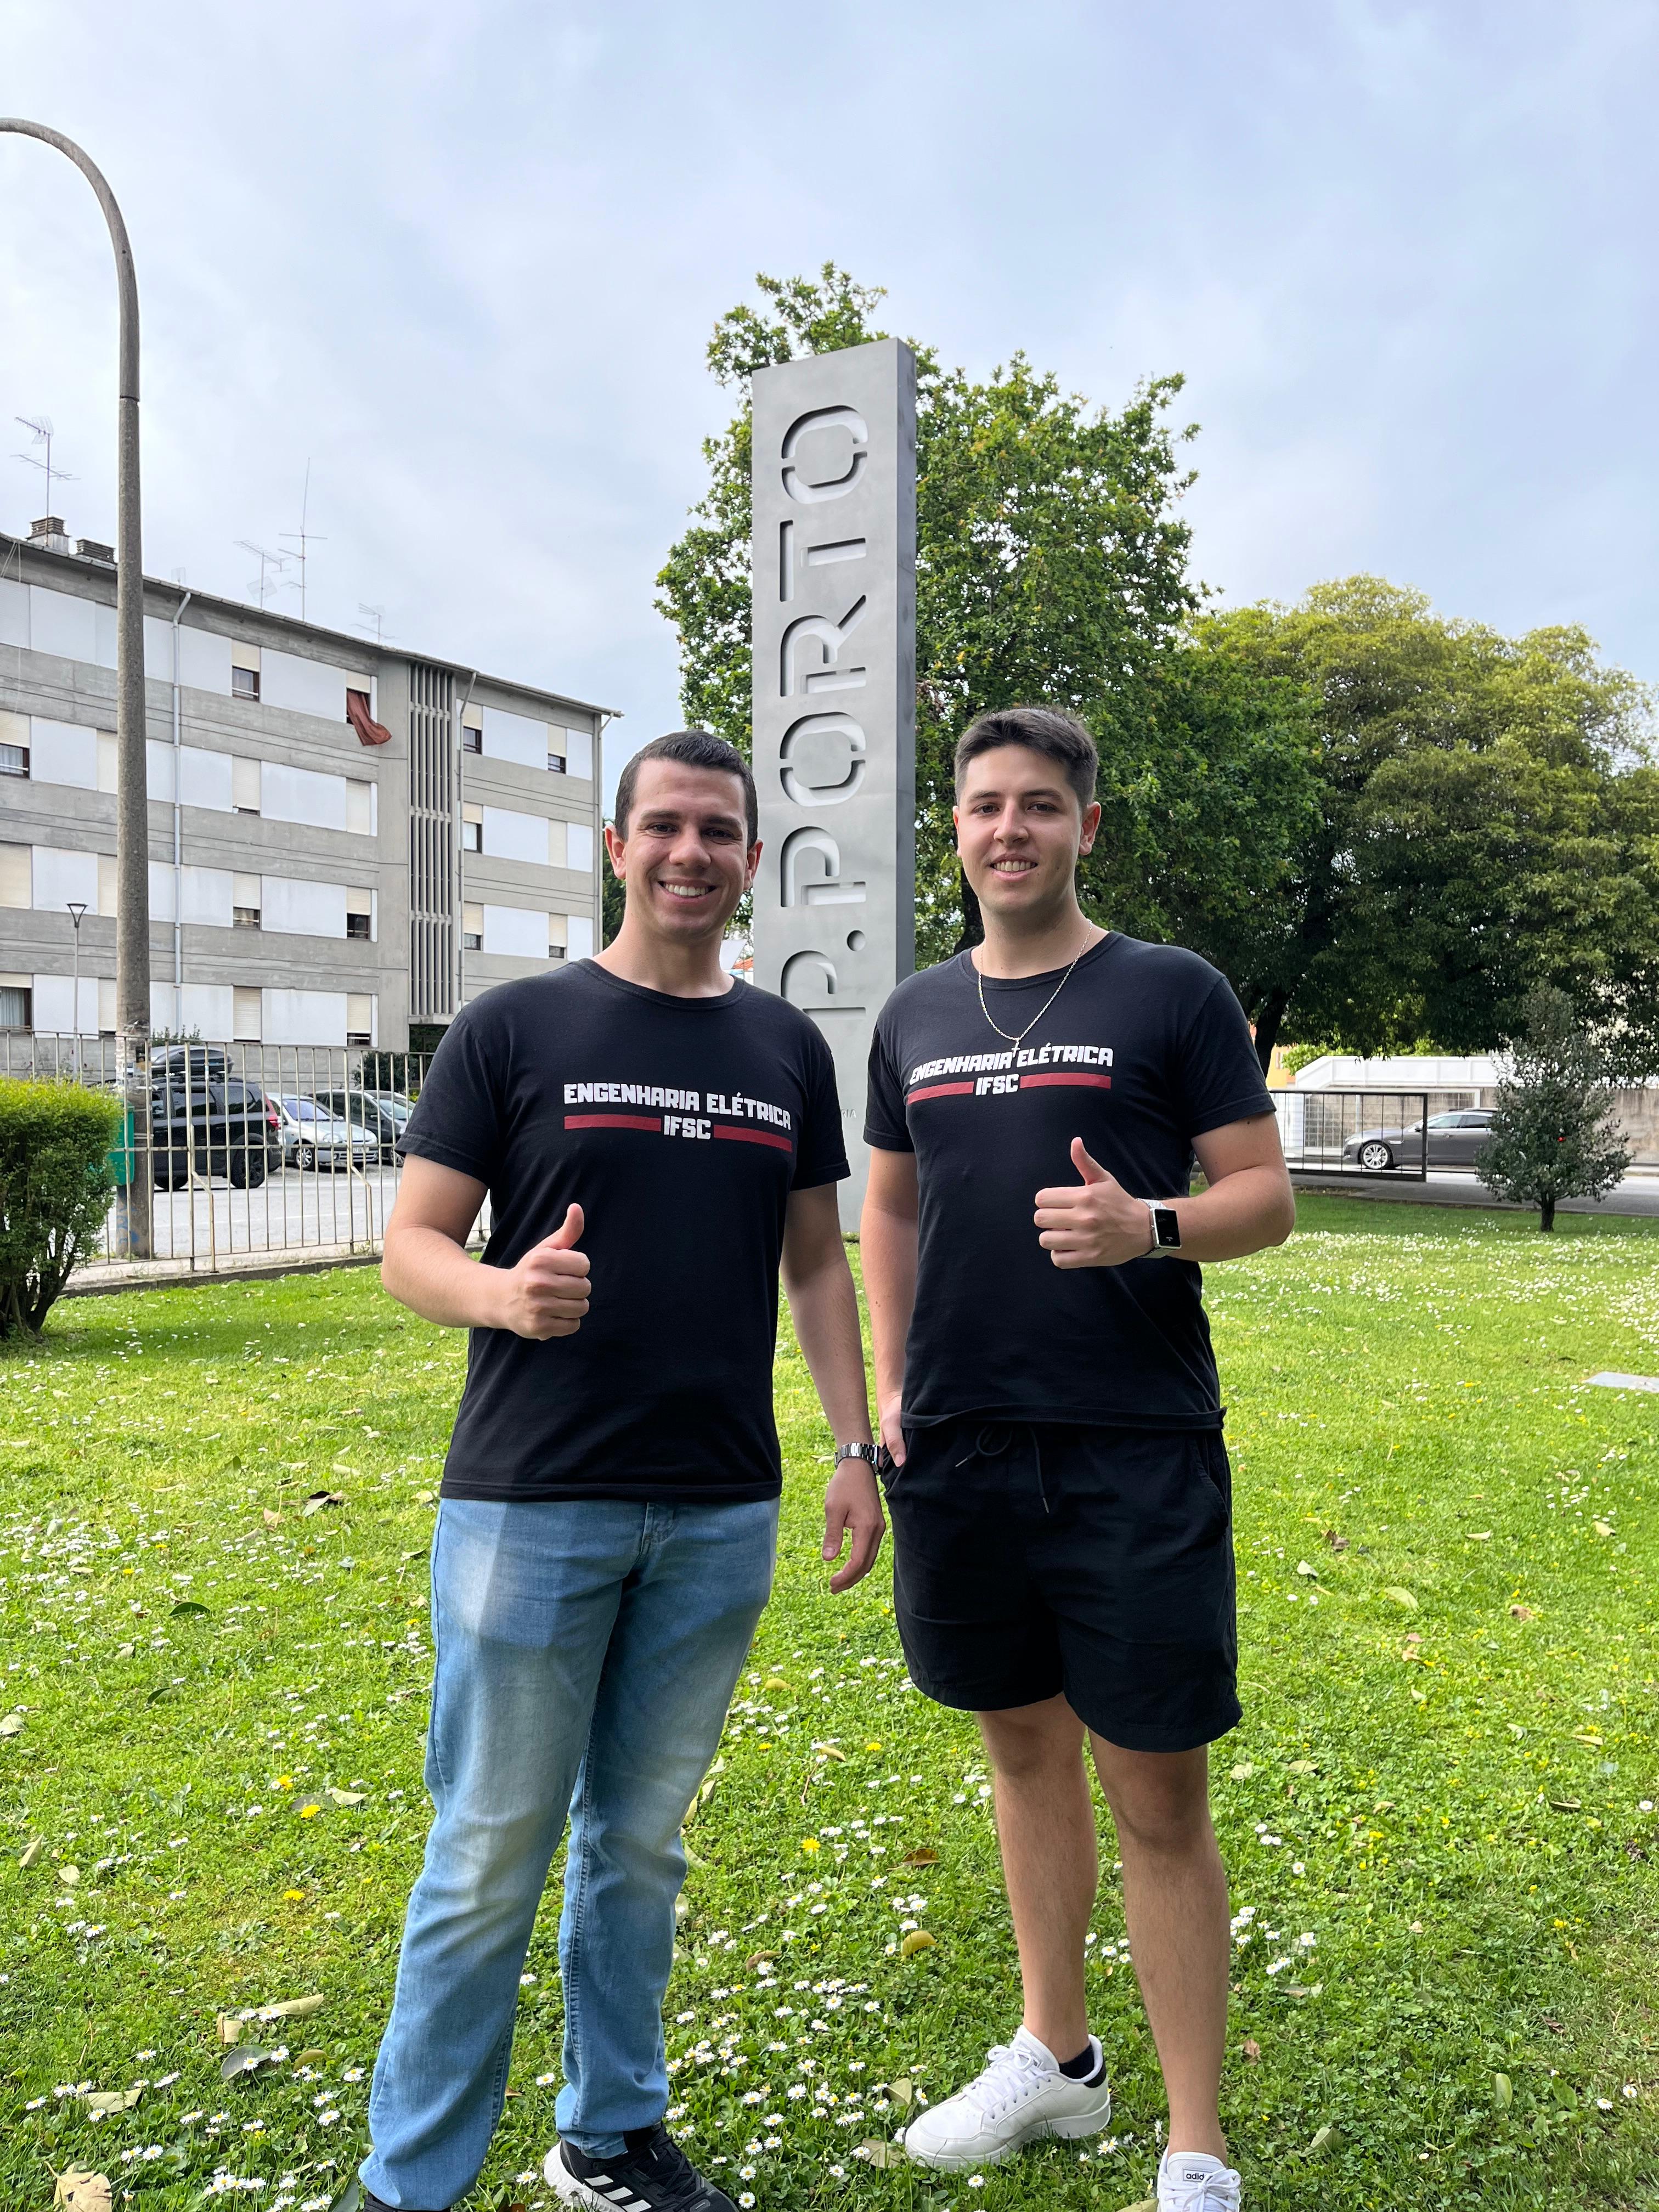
(1437, 1815)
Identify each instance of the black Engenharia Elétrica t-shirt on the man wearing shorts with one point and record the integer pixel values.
(1142, 1050)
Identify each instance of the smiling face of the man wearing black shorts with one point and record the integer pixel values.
(1019, 833)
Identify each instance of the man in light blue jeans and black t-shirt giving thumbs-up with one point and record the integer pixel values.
(658, 1145)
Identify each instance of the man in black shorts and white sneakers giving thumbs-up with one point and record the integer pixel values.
(1061, 1494)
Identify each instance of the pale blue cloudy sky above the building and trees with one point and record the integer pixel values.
(463, 260)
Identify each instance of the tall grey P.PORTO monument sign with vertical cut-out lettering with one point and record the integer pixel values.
(835, 696)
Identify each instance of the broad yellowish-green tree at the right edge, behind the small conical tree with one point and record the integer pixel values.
(1483, 824)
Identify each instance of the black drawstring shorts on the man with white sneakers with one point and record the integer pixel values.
(1034, 1561)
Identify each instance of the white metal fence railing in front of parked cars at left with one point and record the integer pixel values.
(255, 1151)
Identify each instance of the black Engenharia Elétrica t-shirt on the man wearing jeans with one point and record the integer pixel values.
(680, 1127)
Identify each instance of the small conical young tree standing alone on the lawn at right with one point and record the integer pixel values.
(1554, 1134)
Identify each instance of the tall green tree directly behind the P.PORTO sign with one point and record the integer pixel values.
(1052, 567)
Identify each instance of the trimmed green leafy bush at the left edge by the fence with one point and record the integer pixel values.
(54, 1191)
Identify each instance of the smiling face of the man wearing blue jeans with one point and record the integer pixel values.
(685, 855)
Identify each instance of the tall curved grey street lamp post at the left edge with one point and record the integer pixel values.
(132, 804)
